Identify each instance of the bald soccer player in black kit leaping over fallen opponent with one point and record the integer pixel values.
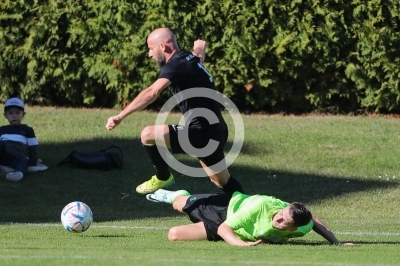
(181, 71)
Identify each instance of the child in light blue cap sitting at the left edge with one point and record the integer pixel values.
(17, 141)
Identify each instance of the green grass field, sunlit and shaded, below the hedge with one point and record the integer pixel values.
(345, 169)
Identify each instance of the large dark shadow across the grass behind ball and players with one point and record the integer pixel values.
(41, 196)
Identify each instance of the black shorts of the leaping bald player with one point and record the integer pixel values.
(199, 138)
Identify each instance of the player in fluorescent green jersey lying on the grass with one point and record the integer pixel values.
(240, 219)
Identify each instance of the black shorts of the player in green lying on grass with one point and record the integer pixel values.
(210, 209)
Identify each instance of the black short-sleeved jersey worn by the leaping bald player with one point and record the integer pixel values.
(185, 71)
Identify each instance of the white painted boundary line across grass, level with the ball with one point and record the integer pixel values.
(394, 234)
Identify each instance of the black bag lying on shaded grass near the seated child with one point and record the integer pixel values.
(102, 160)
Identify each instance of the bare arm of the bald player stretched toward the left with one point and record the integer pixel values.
(144, 98)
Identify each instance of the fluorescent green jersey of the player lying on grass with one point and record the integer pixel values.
(250, 217)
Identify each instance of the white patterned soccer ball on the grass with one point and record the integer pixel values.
(76, 217)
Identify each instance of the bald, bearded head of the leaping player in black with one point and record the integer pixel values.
(162, 45)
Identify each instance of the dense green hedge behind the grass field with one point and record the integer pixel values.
(267, 55)
